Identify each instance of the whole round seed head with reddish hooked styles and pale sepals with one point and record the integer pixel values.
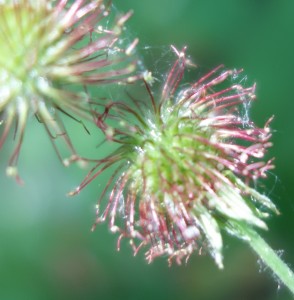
(183, 168)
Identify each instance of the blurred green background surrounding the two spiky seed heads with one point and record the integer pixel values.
(47, 250)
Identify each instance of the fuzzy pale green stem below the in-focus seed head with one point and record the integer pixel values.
(268, 256)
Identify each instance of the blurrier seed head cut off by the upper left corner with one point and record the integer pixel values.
(48, 46)
